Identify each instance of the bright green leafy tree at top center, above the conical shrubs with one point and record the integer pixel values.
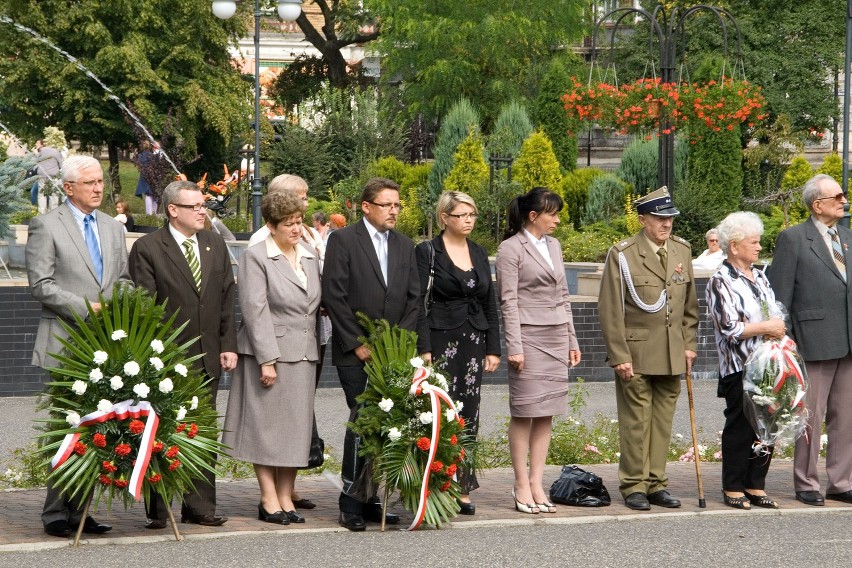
(470, 49)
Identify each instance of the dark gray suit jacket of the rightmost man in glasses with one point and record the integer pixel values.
(806, 280)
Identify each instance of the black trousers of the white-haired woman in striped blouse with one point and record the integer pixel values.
(741, 467)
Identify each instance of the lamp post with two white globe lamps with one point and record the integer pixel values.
(288, 10)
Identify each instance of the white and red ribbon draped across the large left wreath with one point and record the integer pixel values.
(119, 411)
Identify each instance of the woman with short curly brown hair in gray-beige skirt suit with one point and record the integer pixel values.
(271, 405)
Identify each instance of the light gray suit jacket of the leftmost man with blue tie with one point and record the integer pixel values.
(62, 276)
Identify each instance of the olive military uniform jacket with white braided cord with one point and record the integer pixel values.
(653, 342)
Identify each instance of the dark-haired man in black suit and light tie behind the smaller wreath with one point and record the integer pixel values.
(369, 268)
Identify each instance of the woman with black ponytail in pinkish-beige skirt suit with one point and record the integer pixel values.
(540, 340)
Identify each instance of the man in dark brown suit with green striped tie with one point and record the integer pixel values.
(189, 268)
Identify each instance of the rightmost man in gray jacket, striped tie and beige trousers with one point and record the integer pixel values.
(810, 276)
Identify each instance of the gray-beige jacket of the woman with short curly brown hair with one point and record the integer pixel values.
(279, 315)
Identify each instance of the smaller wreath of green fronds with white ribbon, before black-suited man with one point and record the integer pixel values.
(409, 428)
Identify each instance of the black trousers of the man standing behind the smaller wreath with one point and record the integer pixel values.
(355, 472)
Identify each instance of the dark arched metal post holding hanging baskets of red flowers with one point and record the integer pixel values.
(668, 29)
